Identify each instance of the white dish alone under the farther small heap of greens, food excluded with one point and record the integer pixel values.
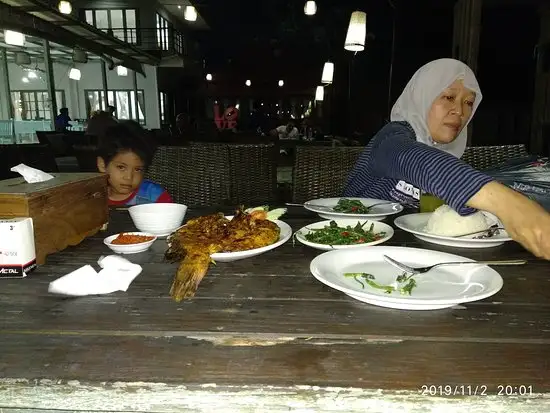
(324, 208)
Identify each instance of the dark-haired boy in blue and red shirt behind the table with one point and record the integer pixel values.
(124, 155)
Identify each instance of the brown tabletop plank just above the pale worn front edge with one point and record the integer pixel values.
(241, 361)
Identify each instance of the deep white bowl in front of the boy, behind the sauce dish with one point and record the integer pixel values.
(158, 219)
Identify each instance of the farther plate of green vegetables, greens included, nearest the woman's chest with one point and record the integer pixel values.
(357, 208)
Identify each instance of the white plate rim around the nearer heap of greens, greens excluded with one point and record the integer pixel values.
(378, 227)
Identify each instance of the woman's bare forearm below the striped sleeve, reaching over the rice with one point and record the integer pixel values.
(525, 220)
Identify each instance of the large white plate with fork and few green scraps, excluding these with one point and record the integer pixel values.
(442, 287)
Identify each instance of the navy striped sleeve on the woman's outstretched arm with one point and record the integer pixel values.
(399, 156)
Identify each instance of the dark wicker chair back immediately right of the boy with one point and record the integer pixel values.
(196, 175)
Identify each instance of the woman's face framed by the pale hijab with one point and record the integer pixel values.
(450, 111)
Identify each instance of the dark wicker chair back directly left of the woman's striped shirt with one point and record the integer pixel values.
(321, 172)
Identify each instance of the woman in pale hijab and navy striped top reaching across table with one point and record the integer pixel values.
(419, 150)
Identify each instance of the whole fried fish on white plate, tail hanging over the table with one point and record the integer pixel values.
(221, 238)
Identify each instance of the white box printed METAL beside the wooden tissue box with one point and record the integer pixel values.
(17, 253)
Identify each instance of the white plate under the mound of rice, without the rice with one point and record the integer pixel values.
(416, 224)
